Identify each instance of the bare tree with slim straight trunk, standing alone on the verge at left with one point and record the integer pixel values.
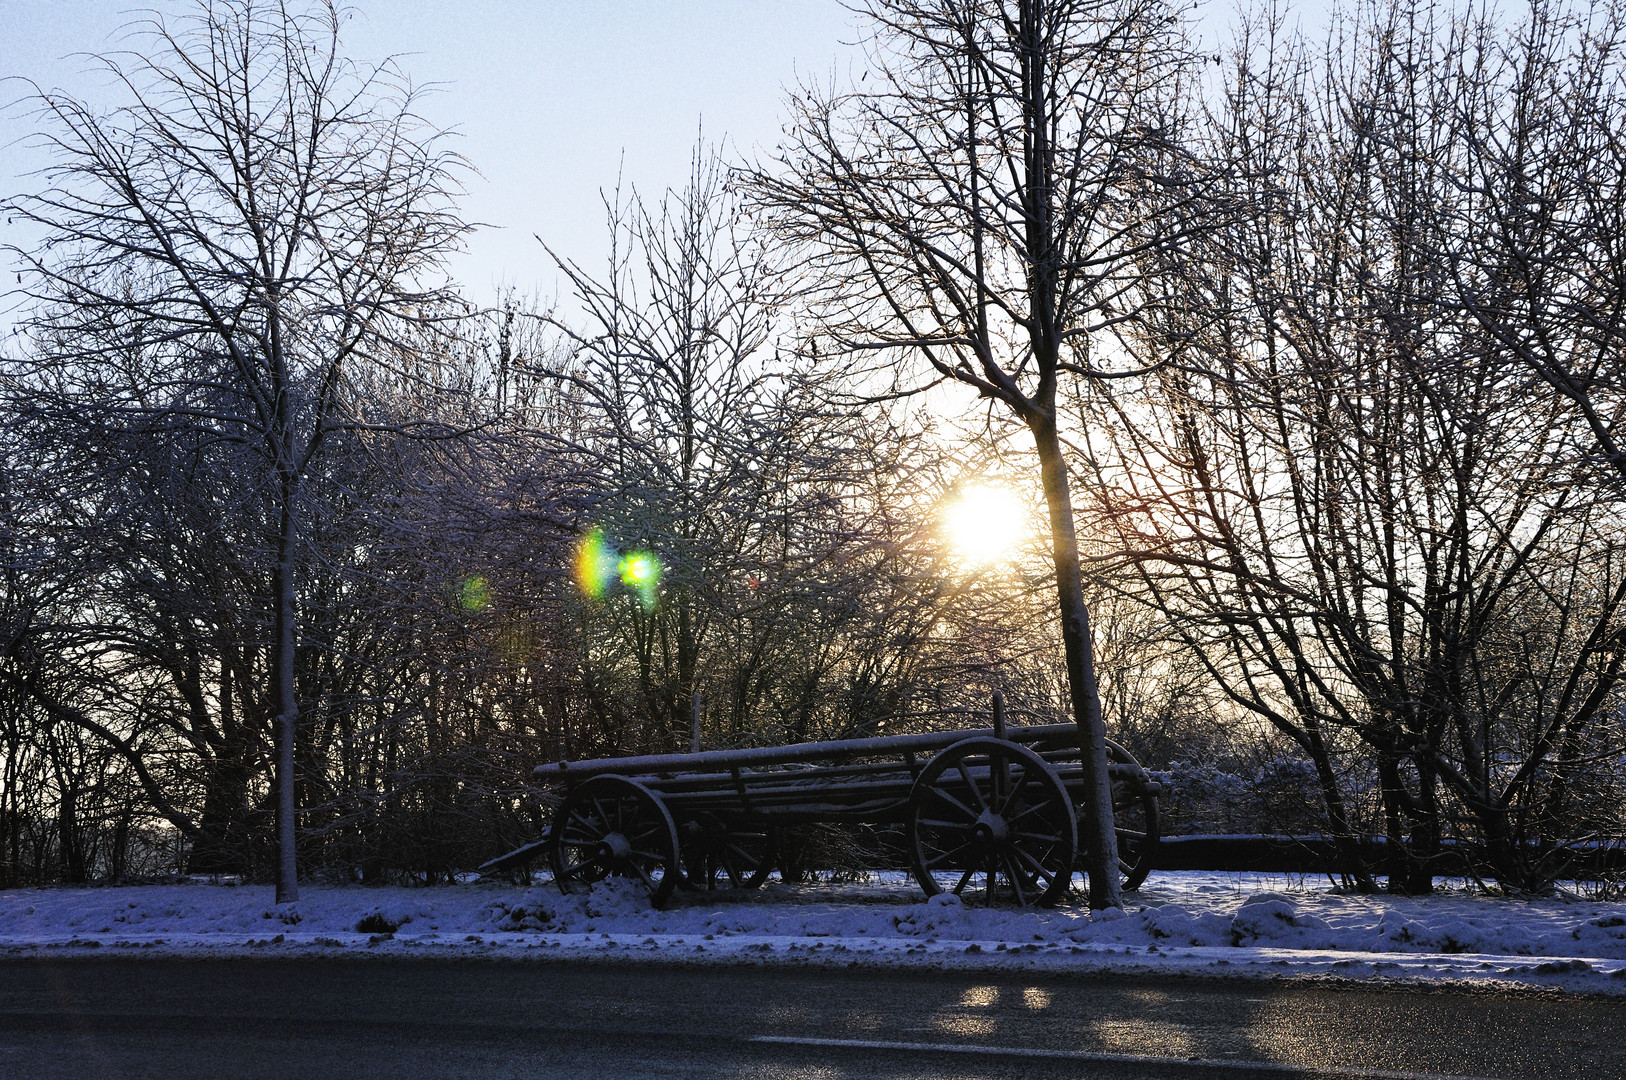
(248, 229)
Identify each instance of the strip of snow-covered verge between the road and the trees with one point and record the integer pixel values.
(1196, 923)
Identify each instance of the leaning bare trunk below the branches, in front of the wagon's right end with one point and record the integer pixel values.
(1100, 835)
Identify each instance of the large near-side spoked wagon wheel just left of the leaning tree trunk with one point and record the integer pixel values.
(994, 811)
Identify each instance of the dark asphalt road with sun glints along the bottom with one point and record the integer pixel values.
(360, 1019)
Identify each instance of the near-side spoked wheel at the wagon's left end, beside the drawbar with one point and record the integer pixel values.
(611, 825)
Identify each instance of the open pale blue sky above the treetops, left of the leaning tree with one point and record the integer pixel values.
(547, 97)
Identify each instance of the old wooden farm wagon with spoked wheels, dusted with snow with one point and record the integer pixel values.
(988, 814)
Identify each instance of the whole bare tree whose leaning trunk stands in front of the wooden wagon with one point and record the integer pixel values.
(981, 206)
